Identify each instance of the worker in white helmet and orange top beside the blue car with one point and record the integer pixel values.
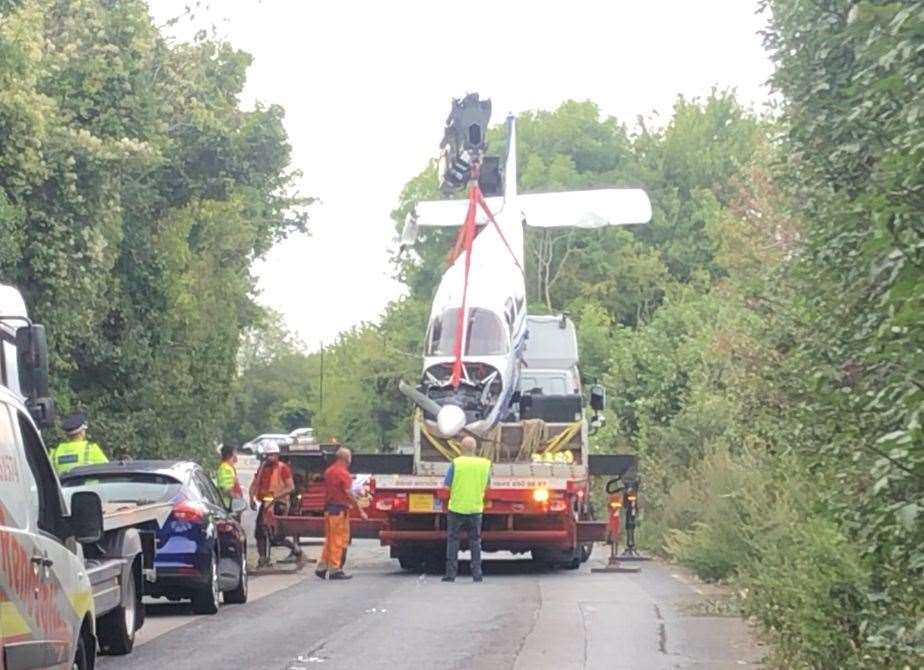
(271, 485)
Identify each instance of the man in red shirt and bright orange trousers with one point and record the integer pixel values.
(338, 498)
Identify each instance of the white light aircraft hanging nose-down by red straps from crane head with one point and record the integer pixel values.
(471, 369)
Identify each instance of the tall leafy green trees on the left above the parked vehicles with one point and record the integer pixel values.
(134, 195)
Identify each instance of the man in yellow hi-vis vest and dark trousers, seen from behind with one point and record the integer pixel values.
(467, 480)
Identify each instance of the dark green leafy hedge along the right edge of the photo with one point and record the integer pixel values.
(851, 75)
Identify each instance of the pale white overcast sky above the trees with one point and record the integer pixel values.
(367, 85)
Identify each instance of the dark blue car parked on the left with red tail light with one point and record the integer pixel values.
(201, 550)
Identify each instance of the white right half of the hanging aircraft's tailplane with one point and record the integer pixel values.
(585, 209)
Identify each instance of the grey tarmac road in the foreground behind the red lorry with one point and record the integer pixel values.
(519, 617)
